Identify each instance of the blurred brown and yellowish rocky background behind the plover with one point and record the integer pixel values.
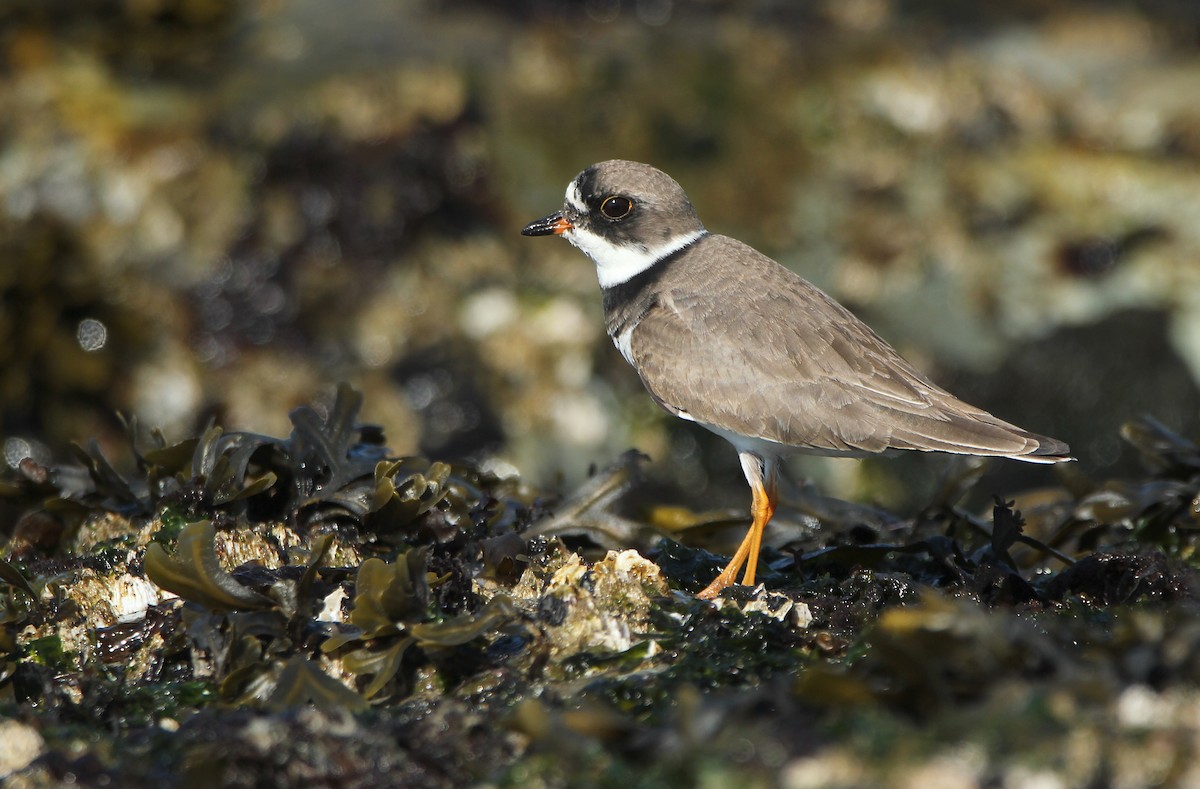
(223, 208)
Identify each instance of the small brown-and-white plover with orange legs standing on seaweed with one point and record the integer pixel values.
(725, 338)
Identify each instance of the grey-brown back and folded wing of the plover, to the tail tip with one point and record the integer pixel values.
(787, 364)
